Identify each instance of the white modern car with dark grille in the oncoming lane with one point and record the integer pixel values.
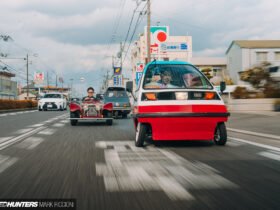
(52, 101)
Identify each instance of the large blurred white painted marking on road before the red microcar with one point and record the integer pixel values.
(127, 169)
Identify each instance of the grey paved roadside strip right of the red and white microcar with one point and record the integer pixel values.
(260, 122)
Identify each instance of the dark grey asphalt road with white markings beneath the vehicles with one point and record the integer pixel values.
(42, 156)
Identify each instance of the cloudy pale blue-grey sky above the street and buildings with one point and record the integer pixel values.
(74, 38)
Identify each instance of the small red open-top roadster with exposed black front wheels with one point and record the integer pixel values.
(90, 110)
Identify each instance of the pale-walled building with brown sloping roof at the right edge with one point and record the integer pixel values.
(244, 54)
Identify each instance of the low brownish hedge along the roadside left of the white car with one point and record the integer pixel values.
(17, 104)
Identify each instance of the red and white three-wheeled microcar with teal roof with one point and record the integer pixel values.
(175, 101)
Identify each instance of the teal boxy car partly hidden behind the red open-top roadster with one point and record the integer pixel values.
(121, 103)
